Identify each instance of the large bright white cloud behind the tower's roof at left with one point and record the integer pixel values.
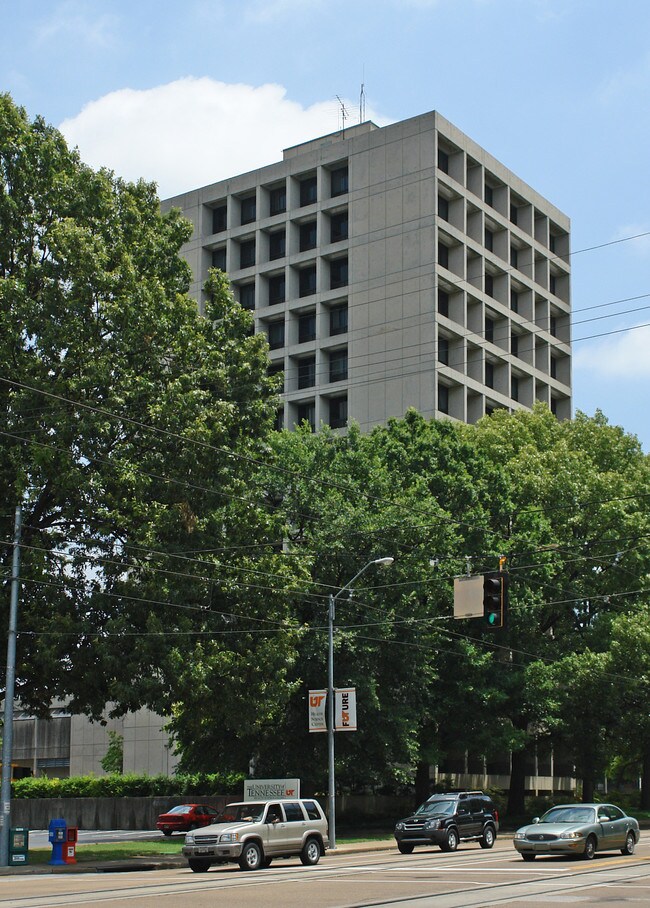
(196, 131)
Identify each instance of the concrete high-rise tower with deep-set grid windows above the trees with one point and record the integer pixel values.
(394, 267)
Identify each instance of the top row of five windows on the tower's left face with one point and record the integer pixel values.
(244, 209)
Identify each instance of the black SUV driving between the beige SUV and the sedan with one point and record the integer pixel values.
(447, 819)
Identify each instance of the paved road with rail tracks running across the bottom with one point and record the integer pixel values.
(470, 878)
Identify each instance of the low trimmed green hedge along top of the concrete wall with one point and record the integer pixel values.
(129, 786)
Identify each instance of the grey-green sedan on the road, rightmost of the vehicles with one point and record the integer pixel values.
(578, 829)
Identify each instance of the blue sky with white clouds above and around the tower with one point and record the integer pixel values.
(559, 90)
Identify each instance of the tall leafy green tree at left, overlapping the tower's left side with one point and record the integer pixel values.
(132, 425)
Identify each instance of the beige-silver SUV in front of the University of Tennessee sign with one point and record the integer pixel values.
(252, 833)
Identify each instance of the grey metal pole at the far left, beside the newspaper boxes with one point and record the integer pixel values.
(8, 729)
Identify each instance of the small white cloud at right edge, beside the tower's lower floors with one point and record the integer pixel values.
(618, 356)
